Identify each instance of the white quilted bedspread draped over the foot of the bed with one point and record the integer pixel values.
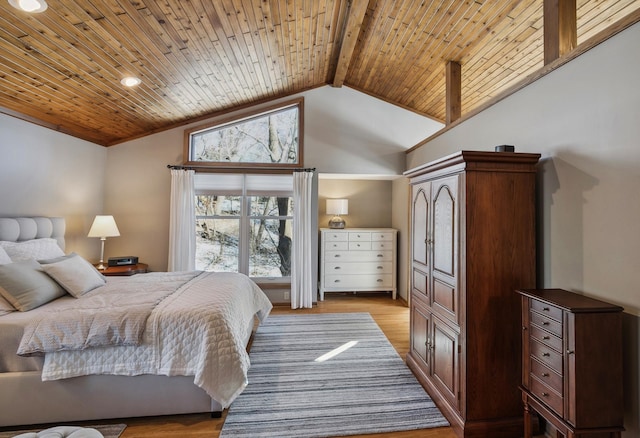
(199, 331)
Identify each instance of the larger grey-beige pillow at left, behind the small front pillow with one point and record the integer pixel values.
(25, 286)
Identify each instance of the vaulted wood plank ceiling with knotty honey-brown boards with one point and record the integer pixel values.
(197, 58)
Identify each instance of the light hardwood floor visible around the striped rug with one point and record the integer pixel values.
(391, 315)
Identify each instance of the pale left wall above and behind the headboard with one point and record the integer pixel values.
(46, 173)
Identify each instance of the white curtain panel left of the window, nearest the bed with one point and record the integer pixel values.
(182, 233)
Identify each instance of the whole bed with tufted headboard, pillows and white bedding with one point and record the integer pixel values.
(160, 343)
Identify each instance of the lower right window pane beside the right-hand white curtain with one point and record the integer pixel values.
(270, 248)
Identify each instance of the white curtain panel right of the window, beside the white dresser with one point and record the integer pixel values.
(301, 261)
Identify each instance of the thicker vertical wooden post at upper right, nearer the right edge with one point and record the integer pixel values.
(560, 28)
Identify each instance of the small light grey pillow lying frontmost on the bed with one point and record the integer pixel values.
(76, 275)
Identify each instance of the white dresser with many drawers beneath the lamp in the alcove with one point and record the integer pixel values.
(358, 259)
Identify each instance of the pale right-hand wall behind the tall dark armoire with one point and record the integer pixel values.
(584, 118)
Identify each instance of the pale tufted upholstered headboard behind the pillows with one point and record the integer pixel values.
(18, 229)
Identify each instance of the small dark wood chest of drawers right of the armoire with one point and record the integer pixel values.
(572, 362)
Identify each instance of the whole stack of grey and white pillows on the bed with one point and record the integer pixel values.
(35, 272)
